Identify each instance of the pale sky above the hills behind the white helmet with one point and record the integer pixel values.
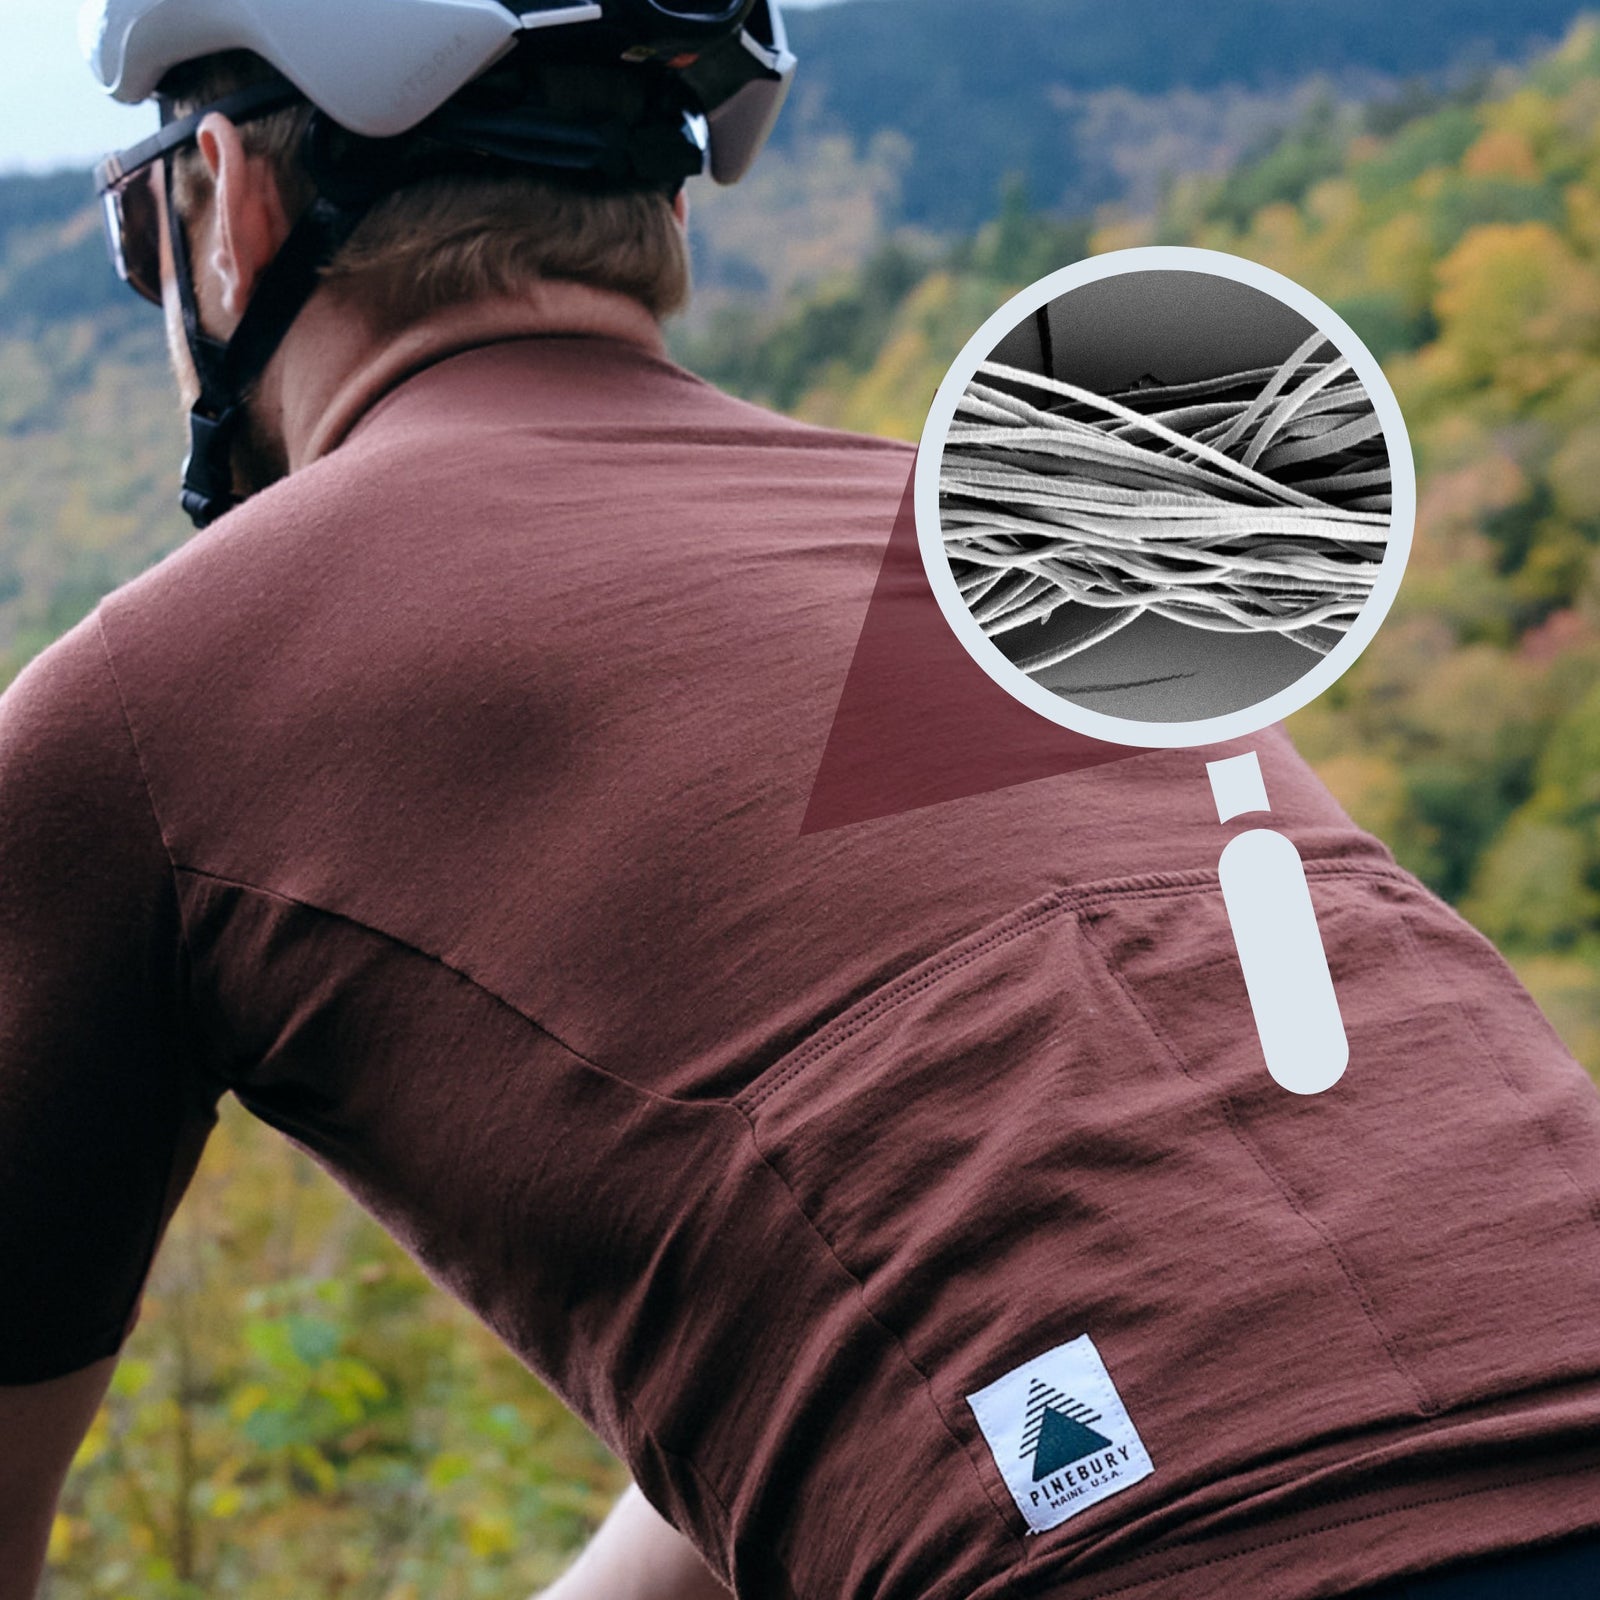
(52, 111)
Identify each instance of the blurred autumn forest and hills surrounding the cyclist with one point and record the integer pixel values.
(300, 1414)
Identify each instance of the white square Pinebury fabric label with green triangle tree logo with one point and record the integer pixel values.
(1060, 1434)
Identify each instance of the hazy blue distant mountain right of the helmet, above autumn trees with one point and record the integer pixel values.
(1068, 94)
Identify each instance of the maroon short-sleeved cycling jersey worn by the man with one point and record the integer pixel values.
(906, 1202)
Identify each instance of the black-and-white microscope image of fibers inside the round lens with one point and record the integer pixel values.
(1156, 543)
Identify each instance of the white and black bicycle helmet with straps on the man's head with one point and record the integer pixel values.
(718, 73)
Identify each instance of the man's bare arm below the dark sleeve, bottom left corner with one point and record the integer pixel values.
(41, 1431)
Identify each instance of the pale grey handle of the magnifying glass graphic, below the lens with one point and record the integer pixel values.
(1279, 943)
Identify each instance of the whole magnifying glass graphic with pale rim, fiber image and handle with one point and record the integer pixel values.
(1166, 498)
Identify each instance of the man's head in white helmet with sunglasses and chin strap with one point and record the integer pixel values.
(409, 156)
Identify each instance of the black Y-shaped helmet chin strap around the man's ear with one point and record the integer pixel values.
(230, 370)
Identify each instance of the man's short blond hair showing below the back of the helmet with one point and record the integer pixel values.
(454, 238)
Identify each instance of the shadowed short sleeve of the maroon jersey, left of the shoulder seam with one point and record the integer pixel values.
(102, 1119)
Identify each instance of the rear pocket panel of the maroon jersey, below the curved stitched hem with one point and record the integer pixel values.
(1063, 1127)
